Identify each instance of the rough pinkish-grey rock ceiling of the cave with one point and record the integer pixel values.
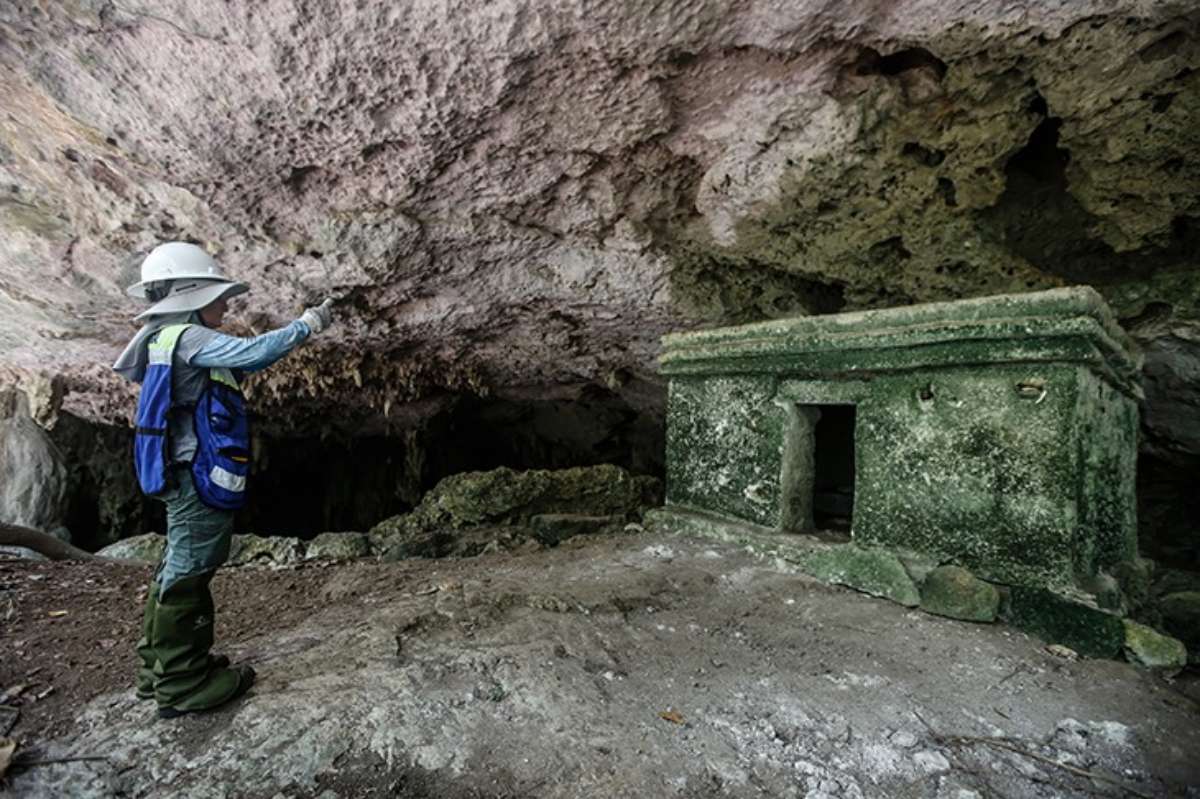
(519, 199)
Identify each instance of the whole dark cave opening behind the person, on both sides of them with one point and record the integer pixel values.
(307, 485)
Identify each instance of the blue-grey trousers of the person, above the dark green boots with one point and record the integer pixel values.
(199, 537)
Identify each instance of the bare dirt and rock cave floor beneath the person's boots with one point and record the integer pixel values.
(611, 666)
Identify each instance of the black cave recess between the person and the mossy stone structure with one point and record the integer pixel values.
(307, 486)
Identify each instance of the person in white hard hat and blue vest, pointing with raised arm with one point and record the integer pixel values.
(193, 453)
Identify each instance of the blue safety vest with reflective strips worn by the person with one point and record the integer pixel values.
(223, 431)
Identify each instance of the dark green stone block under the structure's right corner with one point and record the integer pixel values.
(1061, 620)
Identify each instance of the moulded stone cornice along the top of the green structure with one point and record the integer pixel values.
(1070, 326)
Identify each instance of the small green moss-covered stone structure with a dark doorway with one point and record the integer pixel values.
(995, 434)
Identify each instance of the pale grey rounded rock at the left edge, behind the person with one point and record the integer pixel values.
(33, 476)
